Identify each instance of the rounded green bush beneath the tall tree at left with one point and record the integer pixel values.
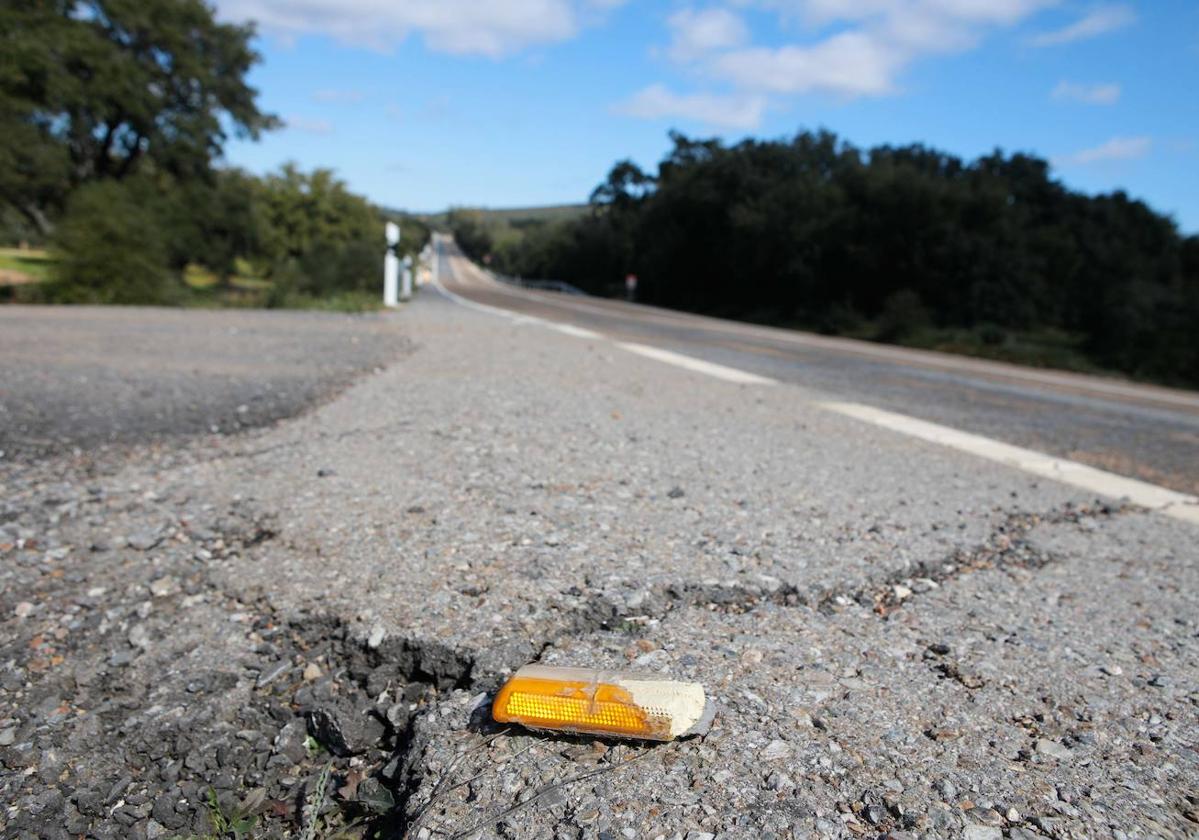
(111, 249)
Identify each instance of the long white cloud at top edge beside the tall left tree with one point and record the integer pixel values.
(493, 29)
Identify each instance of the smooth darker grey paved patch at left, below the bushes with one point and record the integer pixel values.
(98, 378)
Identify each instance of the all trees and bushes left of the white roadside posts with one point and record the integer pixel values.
(113, 119)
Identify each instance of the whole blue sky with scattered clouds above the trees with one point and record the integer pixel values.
(424, 105)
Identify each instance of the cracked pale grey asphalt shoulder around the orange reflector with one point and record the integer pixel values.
(903, 640)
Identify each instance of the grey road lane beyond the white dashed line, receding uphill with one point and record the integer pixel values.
(1142, 432)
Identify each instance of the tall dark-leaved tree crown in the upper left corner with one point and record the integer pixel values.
(97, 89)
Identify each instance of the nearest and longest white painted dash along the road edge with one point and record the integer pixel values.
(1178, 505)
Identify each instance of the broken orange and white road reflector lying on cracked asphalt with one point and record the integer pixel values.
(611, 704)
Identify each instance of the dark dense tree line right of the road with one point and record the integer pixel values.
(896, 244)
